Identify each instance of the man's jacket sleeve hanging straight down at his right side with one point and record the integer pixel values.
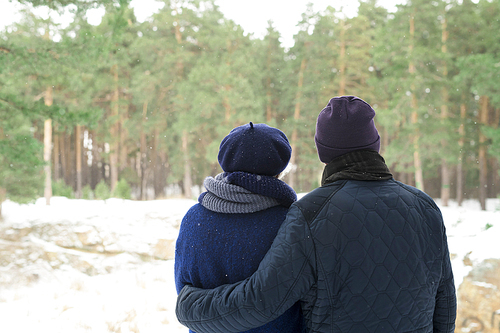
(445, 311)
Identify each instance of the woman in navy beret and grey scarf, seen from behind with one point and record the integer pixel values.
(223, 238)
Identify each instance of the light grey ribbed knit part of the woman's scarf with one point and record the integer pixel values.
(223, 197)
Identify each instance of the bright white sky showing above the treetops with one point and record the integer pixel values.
(252, 15)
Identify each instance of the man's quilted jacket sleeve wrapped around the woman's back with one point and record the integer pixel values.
(284, 276)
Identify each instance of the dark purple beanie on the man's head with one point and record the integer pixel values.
(344, 125)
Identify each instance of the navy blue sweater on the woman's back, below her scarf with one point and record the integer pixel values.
(217, 248)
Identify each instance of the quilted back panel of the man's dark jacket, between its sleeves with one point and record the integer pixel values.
(381, 251)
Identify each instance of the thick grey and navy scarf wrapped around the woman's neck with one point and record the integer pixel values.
(241, 192)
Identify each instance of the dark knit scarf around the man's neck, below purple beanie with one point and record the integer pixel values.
(356, 165)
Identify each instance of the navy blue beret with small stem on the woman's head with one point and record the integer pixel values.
(258, 149)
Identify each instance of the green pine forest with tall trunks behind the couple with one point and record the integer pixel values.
(87, 109)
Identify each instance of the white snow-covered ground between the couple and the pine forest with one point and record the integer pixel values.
(137, 295)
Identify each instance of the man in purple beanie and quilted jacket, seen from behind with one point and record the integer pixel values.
(363, 253)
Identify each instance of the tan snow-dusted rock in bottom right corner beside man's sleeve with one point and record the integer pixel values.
(479, 299)
